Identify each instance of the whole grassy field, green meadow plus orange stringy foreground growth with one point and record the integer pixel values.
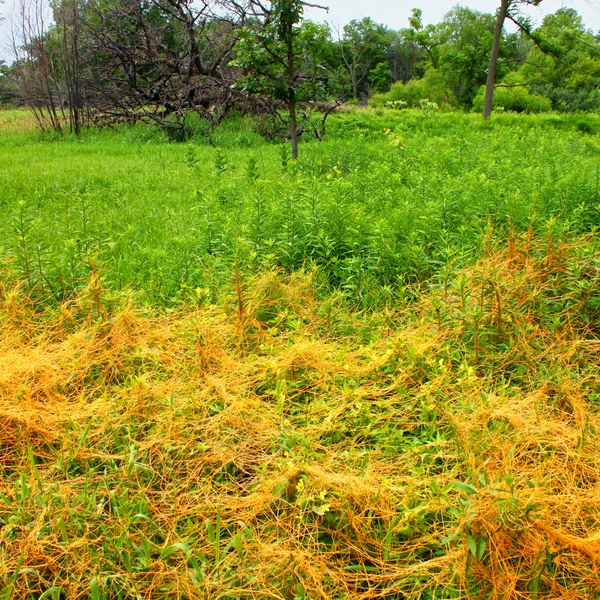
(369, 374)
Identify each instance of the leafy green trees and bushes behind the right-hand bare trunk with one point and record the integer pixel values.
(553, 67)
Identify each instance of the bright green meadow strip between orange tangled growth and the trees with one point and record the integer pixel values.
(387, 201)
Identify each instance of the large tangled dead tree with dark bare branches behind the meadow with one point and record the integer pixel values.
(158, 60)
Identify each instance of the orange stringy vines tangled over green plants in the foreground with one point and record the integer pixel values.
(279, 445)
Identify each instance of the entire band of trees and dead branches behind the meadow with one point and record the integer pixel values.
(162, 60)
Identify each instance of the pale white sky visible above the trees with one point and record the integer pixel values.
(393, 13)
